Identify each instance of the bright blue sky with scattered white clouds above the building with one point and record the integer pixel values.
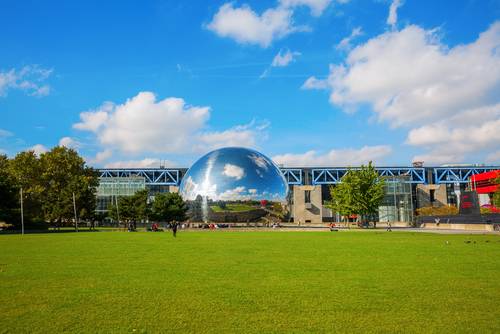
(307, 82)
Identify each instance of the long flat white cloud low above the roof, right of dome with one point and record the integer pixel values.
(341, 157)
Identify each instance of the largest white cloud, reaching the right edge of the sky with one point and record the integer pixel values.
(408, 76)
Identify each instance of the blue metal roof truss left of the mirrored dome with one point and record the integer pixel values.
(159, 177)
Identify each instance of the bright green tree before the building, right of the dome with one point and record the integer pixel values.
(360, 192)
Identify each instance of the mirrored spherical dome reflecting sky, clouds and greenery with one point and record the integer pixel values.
(233, 180)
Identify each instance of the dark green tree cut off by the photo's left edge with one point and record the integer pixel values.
(9, 196)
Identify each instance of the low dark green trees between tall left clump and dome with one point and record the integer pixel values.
(140, 207)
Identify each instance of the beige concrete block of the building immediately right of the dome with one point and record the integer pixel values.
(303, 213)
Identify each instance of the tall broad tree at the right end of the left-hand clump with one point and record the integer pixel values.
(64, 173)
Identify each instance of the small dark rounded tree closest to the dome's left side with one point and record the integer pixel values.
(168, 207)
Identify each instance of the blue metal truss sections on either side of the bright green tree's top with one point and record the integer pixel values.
(333, 175)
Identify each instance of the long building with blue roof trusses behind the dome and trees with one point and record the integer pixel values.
(407, 188)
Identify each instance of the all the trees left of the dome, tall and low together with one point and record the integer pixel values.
(56, 182)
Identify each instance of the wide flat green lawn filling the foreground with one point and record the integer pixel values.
(249, 282)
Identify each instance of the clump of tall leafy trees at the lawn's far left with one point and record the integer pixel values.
(48, 183)
